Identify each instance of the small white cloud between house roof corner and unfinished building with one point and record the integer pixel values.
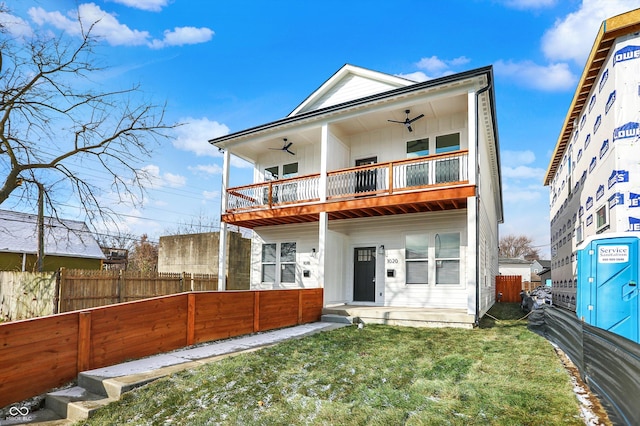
(553, 77)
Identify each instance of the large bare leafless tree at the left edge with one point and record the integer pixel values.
(57, 127)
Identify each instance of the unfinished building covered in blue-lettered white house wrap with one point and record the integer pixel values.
(594, 173)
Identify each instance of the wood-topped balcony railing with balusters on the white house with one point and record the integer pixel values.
(376, 179)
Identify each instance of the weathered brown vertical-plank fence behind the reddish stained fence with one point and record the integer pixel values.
(83, 289)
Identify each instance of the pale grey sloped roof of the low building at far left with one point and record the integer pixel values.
(19, 234)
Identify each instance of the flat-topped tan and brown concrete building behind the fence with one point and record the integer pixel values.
(198, 254)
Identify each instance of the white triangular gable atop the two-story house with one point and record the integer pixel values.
(347, 84)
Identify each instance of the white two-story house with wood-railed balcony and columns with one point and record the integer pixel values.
(383, 191)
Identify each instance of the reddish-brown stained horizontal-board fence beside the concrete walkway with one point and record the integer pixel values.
(42, 353)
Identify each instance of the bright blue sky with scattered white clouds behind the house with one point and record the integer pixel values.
(226, 66)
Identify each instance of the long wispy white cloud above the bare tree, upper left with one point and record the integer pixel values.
(107, 27)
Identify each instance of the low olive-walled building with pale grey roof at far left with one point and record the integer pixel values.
(67, 243)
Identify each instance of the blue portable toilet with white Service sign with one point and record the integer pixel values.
(607, 293)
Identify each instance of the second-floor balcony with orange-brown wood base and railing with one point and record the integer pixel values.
(431, 183)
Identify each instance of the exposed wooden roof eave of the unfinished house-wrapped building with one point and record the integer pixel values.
(610, 29)
